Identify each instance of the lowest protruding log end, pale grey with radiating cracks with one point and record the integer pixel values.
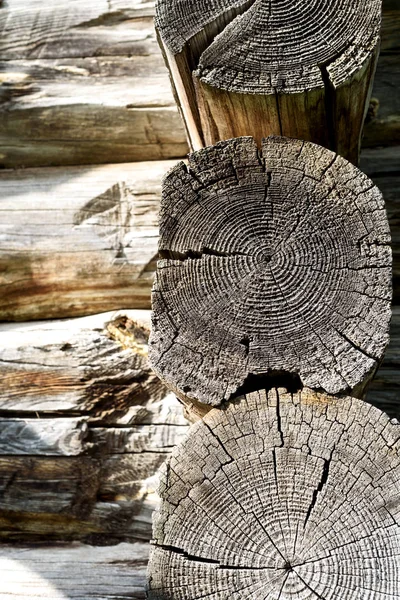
(281, 496)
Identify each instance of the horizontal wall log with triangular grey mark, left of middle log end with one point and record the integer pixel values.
(77, 241)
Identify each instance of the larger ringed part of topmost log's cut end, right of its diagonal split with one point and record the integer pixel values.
(309, 35)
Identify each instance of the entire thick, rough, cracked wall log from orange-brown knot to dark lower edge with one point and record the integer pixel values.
(84, 427)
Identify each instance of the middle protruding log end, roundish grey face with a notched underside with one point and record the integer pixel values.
(273, 266)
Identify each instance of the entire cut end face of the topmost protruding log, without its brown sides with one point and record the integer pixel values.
(244, 57)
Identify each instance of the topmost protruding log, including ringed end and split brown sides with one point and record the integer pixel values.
(260, 68)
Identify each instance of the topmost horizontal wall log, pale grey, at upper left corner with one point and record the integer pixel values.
(73, 30)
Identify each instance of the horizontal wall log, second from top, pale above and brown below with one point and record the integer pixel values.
(49, 114)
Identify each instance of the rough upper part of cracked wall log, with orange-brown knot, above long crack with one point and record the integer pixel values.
(96, 366)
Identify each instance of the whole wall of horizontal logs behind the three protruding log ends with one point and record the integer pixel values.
(82, 86)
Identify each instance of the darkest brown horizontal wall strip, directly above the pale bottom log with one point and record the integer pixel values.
(79, 498)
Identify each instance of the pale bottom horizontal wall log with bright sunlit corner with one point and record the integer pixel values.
(75, 571)
